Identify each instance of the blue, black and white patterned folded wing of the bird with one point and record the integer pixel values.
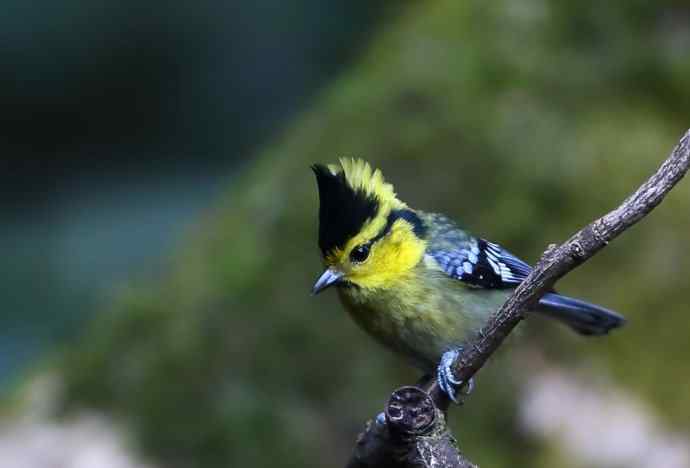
(480, 263)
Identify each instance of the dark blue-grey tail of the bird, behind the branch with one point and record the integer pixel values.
(584, 318)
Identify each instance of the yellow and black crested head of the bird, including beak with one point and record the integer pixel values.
(368, 237)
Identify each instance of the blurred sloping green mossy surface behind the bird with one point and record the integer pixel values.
(523, 121)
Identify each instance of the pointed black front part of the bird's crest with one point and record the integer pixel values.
(342, 211)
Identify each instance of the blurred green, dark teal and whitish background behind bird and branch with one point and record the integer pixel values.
(159, 222)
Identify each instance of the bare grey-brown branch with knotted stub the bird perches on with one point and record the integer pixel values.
(414, 432)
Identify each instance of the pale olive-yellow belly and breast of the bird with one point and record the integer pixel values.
(423, 322)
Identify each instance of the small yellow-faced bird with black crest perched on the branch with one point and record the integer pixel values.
(417, 282)
